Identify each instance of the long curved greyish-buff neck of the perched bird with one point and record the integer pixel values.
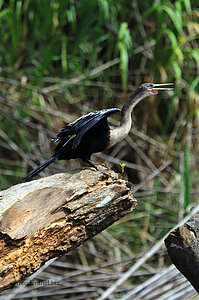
(128, 107)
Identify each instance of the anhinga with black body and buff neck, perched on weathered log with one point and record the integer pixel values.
(91, 133)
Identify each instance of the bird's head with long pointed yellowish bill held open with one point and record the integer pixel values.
(153, 88)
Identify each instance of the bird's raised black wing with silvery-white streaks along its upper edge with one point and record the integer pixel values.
(81, 126)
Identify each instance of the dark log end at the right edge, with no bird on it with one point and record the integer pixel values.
(183, 247)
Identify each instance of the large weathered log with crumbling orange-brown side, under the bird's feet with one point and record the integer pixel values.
(50, 216)
